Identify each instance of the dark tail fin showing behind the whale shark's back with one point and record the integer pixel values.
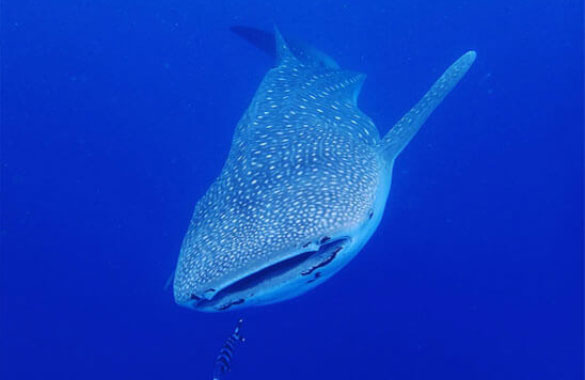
(265, 41)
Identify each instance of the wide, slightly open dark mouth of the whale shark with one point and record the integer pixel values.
(307, 265)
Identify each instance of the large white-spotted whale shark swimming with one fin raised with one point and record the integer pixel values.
(303, 188)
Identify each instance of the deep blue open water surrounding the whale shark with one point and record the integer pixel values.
(116, 116)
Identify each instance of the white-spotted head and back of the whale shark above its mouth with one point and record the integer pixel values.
(305, 163)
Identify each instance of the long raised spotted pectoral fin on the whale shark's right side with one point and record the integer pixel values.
(403, 131)
